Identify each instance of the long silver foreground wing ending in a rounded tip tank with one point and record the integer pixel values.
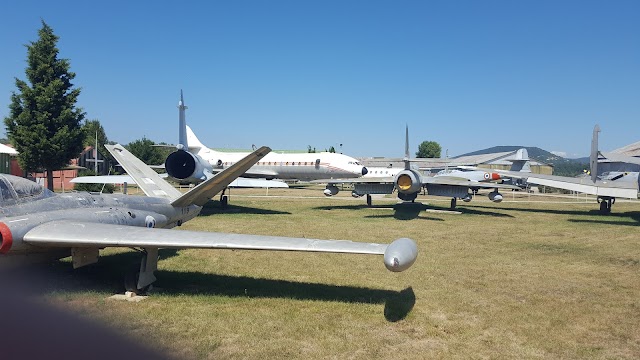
(399, 255)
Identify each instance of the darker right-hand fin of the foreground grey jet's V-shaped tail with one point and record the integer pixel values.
(205, 191)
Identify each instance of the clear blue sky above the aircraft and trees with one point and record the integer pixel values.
(287, 74)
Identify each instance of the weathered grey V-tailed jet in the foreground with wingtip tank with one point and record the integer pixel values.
(36, 223)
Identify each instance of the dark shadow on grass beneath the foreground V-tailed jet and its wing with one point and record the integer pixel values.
(108, 274)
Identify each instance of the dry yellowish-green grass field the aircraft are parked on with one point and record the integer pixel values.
(546, 278)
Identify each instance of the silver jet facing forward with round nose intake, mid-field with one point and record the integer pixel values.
(409, 182)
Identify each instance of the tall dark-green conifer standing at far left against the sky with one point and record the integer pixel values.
(44, 124)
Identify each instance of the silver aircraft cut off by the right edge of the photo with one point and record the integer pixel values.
(606, 187)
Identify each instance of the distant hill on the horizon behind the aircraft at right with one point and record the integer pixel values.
(561, 166)
